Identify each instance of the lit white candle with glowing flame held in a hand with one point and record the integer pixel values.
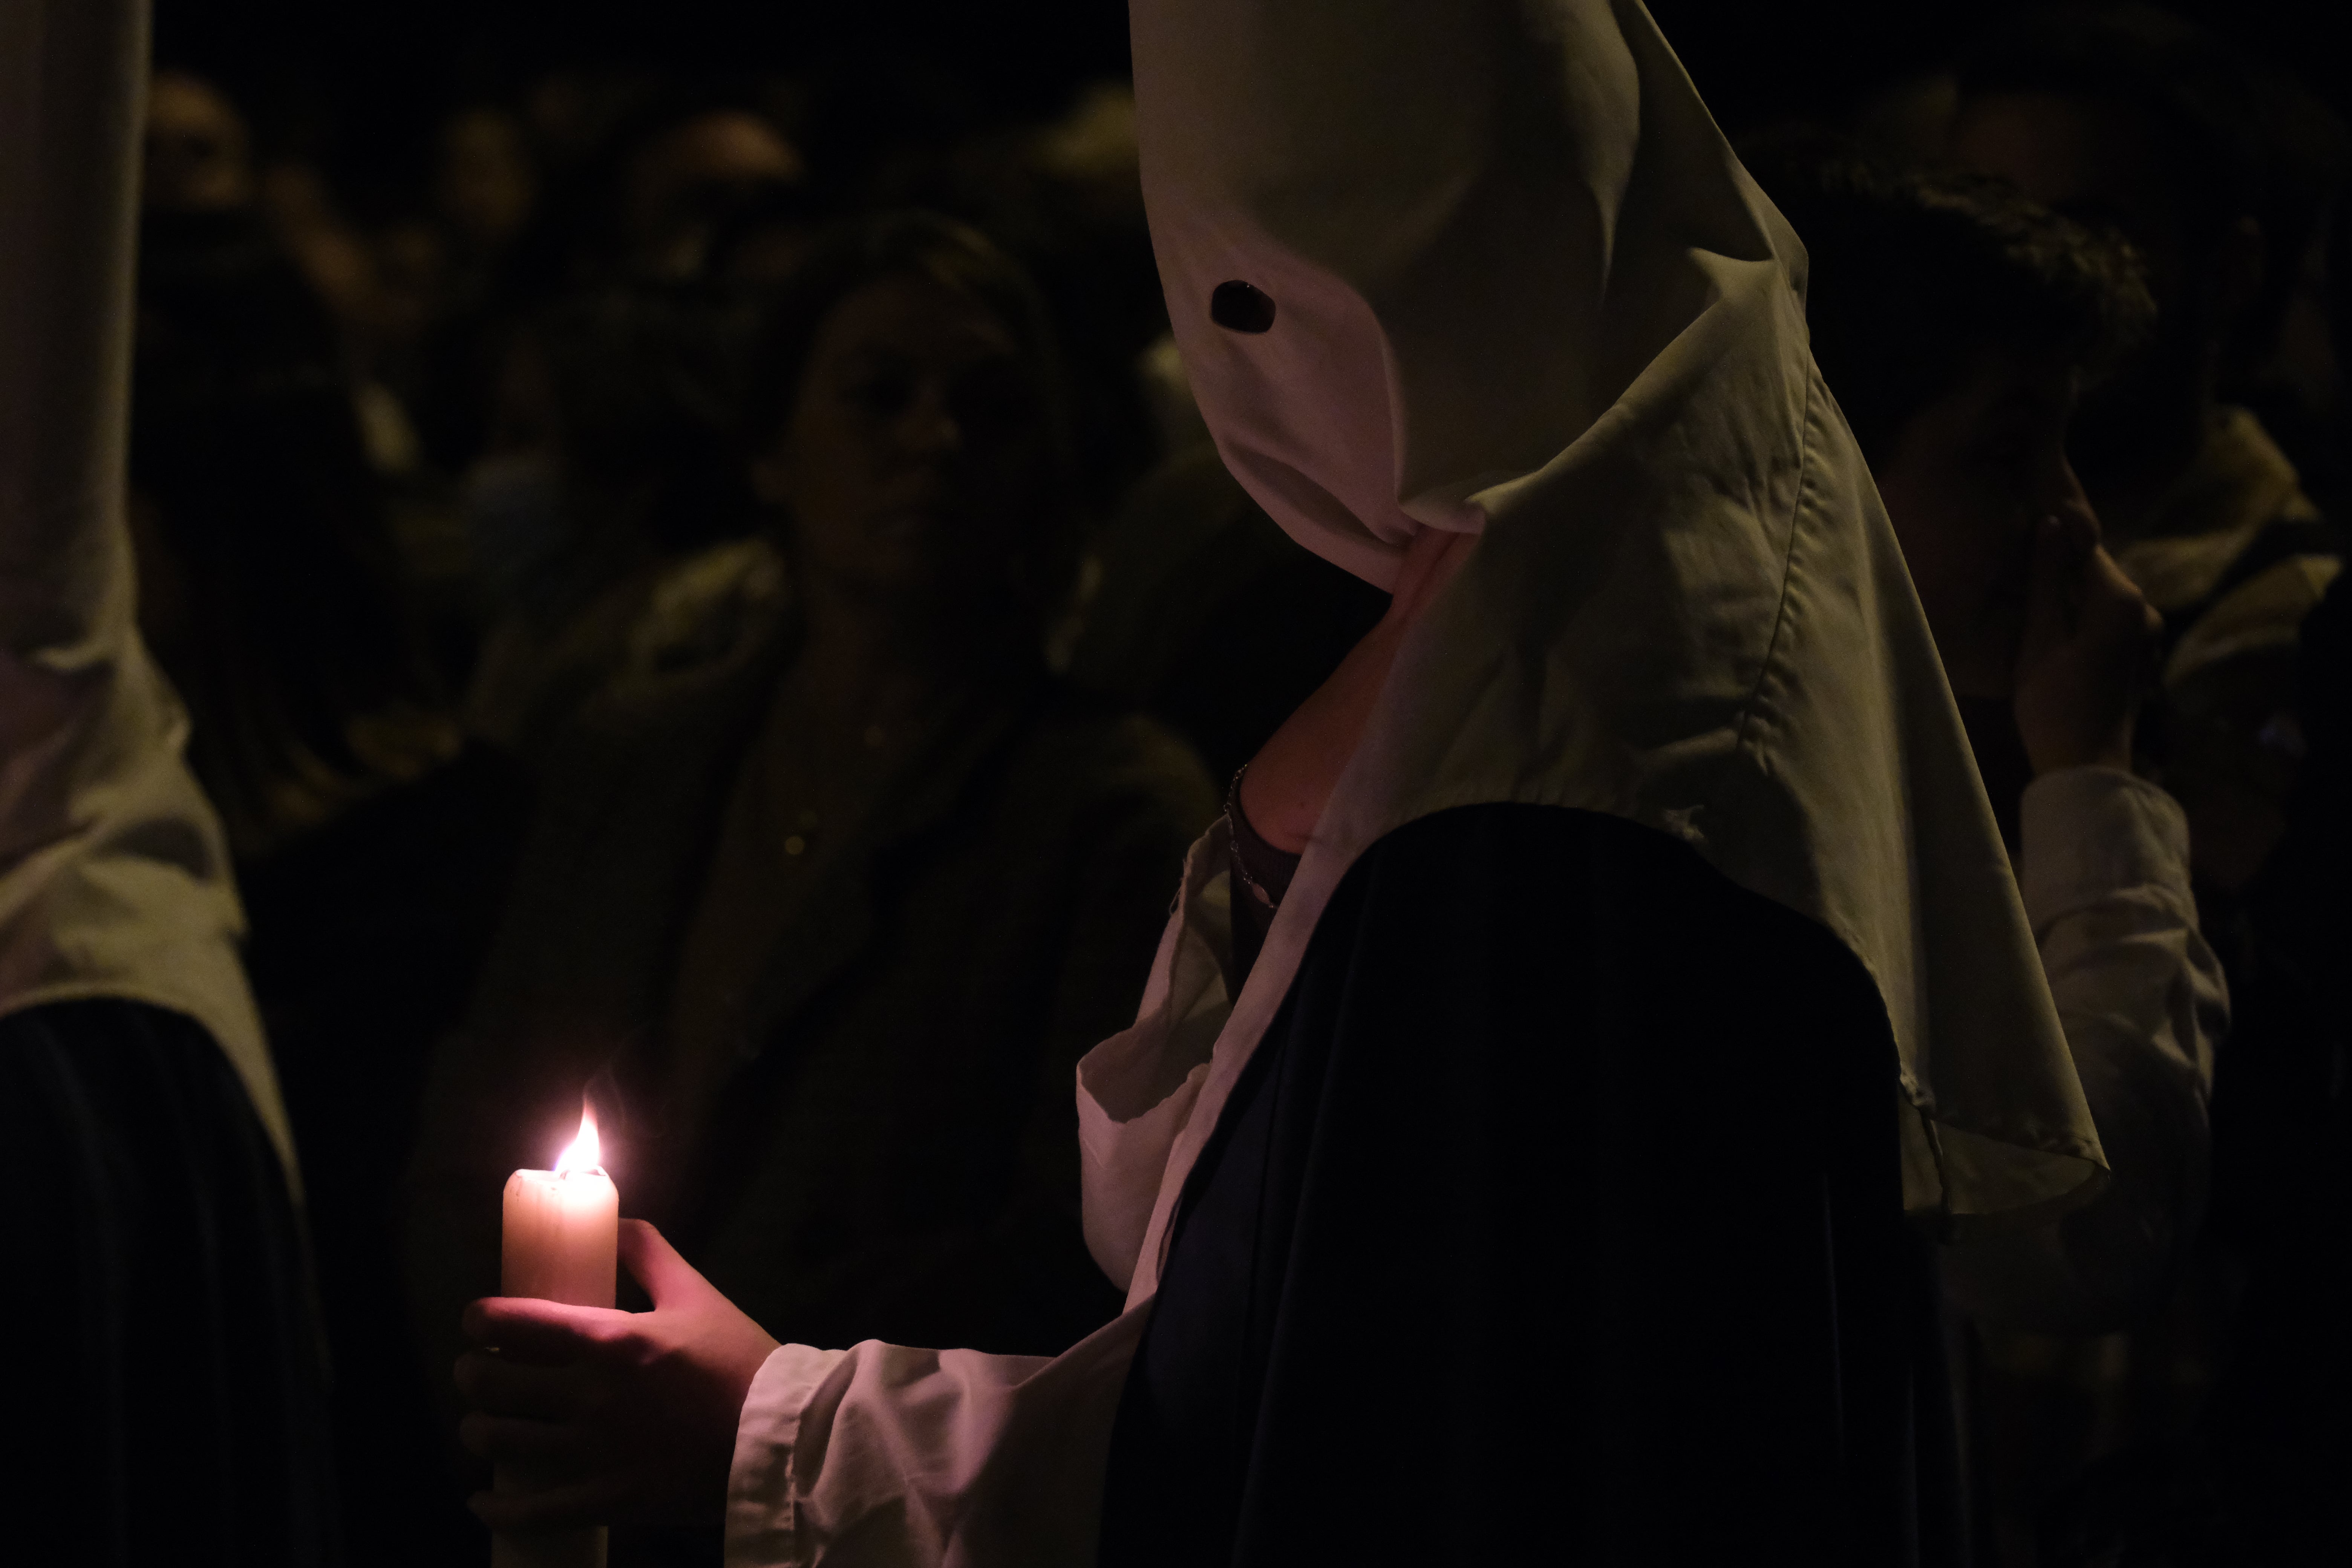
(563, 1242)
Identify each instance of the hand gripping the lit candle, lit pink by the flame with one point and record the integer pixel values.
(606, 1416)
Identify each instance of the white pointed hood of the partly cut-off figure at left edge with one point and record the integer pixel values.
(114, 871)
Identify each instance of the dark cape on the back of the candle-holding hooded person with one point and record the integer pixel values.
(1558, 1214)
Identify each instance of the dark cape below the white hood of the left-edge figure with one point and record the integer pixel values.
(168, 1379)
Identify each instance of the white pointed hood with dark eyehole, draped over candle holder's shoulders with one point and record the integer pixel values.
(1518, 286)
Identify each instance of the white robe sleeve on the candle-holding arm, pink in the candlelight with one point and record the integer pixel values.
(902, 1456)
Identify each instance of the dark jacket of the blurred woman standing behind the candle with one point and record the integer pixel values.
(890, 1153)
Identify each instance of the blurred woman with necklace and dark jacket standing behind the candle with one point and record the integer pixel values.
(831, 883)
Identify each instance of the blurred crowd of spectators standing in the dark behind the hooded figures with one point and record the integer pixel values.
(756, 636)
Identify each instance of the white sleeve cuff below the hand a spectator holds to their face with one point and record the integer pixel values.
(2092, 833)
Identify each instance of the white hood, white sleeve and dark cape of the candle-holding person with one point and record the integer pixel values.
(1544, 1184)
